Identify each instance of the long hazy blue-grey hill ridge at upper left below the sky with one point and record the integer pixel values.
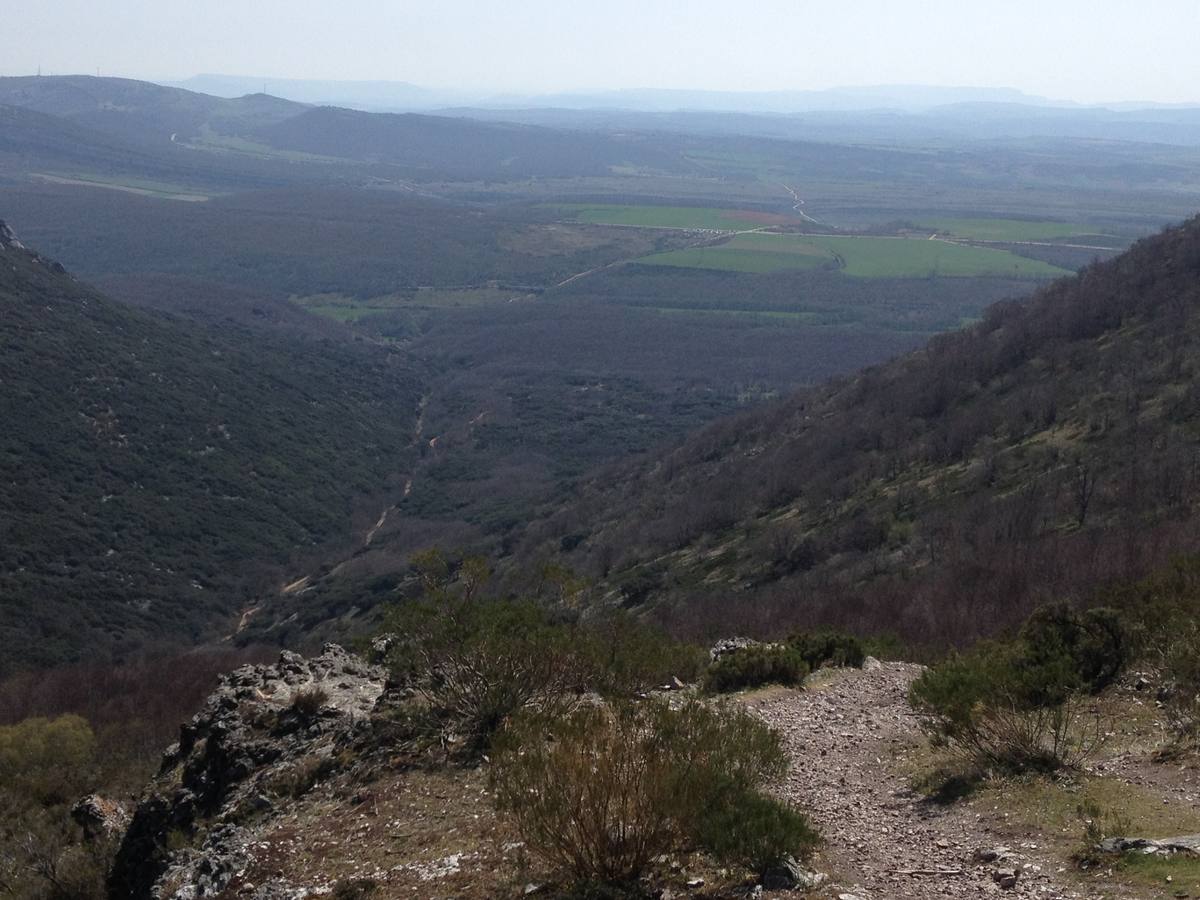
(263, 141)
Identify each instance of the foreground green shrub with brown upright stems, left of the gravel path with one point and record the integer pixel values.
(602, 793)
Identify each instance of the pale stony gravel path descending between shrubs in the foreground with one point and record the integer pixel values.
(883, 841)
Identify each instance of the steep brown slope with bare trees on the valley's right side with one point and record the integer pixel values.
(941, 496)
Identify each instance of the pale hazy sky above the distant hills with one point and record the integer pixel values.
(1072, 50)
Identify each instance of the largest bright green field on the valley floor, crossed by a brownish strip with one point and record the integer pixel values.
(860, 257)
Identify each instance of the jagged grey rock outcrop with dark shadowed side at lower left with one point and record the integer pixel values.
(262, 733)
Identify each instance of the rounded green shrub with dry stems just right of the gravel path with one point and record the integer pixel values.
(1005, 711)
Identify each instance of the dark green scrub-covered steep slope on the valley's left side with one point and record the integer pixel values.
(153, 470)
